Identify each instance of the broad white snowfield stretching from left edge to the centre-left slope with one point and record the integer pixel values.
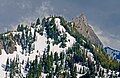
(40, 45)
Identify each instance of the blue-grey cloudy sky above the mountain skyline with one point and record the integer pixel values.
(103, 15)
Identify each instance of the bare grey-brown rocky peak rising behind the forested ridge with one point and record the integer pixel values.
(84, 28)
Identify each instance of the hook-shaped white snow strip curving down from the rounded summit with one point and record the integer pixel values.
(70, 39)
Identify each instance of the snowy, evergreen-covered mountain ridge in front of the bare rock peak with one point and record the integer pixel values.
(51, 48)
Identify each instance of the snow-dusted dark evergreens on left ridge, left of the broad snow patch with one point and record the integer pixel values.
(28, 36)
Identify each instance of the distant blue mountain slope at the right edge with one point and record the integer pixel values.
(115, 54)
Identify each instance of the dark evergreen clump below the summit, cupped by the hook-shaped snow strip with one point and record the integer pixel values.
(54, 33)
